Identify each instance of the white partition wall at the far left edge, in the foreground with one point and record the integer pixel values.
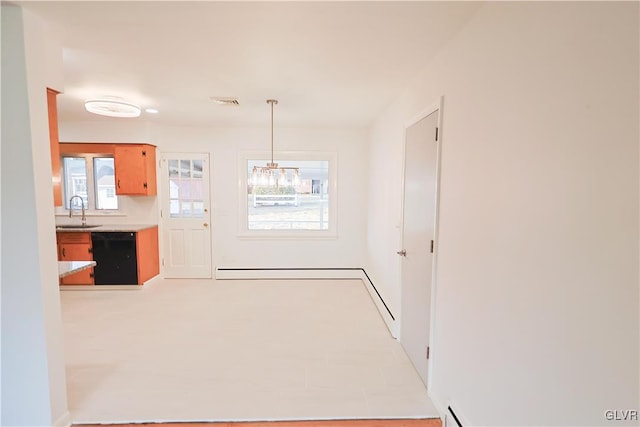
(33, 381)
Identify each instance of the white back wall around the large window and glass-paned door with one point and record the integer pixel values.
(224, 146)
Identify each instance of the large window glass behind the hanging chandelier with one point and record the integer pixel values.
(280, 200)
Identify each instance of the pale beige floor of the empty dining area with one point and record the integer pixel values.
(235, 350)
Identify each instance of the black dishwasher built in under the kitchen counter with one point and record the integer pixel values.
(115, 257)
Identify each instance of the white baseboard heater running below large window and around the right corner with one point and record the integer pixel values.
(313, 273)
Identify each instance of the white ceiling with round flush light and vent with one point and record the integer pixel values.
(328, 63)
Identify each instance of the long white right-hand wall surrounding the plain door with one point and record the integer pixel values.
(537, 296)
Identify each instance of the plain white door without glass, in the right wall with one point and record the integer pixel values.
(418, 234)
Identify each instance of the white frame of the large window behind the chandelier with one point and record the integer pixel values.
(243, 211)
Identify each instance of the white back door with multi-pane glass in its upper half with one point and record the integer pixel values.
(186, 215)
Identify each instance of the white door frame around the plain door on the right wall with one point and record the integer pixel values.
(432, 108)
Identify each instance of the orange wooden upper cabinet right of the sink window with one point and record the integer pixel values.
(135, 169)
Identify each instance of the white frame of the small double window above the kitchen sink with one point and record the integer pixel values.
(90, 209)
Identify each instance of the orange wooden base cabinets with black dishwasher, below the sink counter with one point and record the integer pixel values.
(122, 258)
